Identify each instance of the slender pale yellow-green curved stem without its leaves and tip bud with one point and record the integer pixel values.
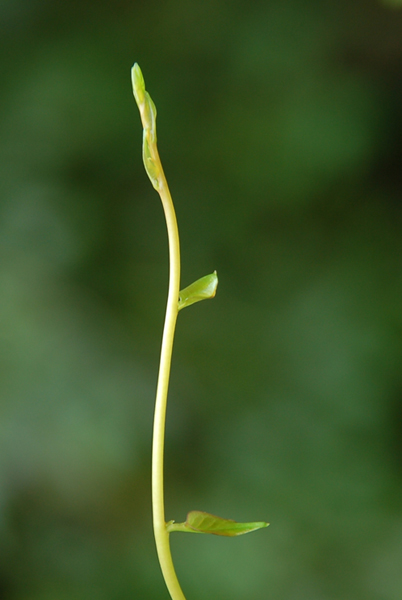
(160, 531)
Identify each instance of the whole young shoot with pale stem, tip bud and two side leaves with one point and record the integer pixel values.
(202, 289)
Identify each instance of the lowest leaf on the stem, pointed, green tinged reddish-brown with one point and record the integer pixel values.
(202, 522)
